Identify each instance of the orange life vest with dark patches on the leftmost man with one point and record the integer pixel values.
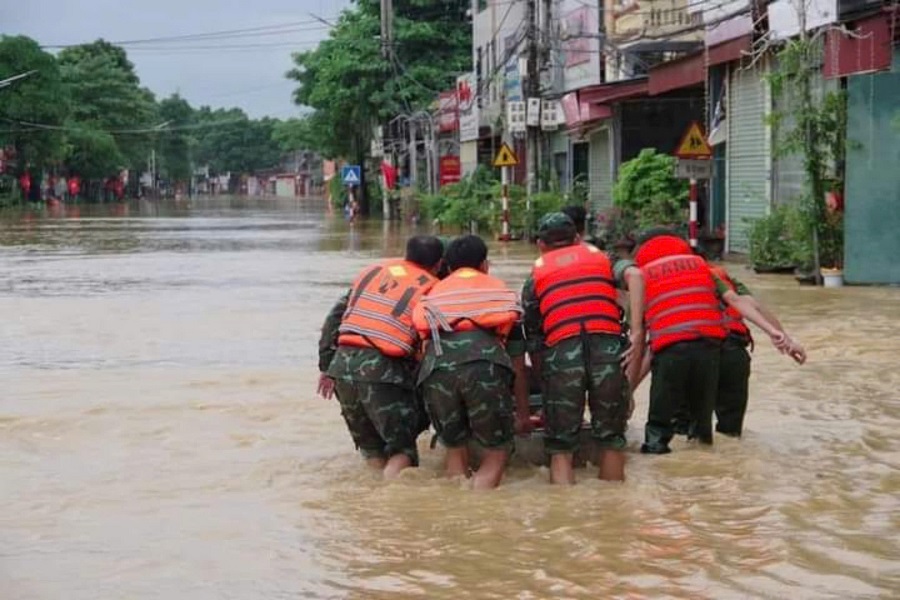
(379, 314)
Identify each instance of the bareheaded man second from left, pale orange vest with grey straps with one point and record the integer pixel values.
(474, 351)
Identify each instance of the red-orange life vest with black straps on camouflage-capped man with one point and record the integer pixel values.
(576, 292)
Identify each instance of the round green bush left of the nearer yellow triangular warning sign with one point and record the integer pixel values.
(648, 191)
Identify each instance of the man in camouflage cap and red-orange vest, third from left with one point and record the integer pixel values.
(575, 338)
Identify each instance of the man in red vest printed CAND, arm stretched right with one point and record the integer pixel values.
(686, 328)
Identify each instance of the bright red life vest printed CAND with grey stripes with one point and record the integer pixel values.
(682, 303)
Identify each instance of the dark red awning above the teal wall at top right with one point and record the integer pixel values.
(865, 50)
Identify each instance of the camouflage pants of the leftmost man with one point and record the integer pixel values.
(382, 418)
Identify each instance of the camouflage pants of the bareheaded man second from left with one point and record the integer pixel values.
(474, 401)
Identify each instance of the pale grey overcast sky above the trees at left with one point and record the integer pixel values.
(209, 71)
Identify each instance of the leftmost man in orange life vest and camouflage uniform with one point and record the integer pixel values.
(367, 355)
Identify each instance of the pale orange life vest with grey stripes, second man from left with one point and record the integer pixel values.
(466, 300)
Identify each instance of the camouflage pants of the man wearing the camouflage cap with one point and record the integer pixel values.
(599, 379)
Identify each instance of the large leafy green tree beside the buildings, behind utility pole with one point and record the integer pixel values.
(352, 87)
